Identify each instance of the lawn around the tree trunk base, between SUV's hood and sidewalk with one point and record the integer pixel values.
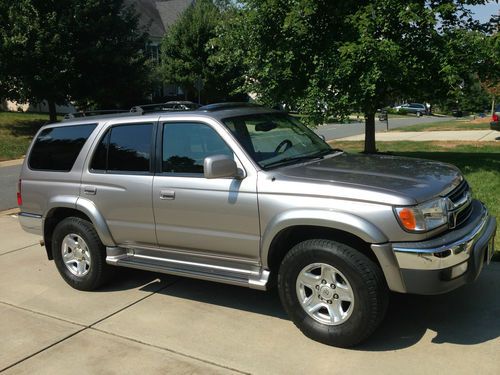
(479, 162)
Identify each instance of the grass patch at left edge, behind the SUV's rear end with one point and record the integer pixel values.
(16, 132)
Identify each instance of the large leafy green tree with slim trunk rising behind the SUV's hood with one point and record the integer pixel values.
(329, 57)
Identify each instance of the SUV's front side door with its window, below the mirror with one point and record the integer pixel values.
(207, 217)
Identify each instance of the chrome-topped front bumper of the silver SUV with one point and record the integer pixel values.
(453, 259)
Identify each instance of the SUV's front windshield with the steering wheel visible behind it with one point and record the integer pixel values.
(274, 139)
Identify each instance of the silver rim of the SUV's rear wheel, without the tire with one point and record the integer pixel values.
(76, 255)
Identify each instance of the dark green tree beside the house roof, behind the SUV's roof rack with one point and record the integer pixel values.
(188, 53)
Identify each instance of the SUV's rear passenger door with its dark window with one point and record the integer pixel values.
(119, 179)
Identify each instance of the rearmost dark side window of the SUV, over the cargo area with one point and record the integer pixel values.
(56, 149)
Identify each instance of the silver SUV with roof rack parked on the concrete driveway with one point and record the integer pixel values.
(249, 196)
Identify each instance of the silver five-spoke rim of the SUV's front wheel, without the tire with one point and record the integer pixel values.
(325, 294)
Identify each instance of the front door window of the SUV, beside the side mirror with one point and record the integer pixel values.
(186, 145)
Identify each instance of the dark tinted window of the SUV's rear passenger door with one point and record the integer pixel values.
(124, 148)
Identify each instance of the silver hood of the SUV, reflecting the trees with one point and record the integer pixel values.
(408, 180)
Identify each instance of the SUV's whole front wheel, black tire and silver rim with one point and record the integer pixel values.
(333, 293)
